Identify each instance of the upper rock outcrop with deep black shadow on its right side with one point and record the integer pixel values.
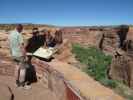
(114, 38)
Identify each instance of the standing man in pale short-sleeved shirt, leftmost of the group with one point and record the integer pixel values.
(18, 54)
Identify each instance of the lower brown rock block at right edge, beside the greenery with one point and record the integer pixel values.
(121, 69)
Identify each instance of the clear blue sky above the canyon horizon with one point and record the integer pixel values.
(67, 12)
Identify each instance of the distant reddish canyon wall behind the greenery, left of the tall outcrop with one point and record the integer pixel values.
(84, 37)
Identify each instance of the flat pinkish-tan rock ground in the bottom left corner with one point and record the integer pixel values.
(39, 91)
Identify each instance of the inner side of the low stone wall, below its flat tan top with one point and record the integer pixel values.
(55, 81)
